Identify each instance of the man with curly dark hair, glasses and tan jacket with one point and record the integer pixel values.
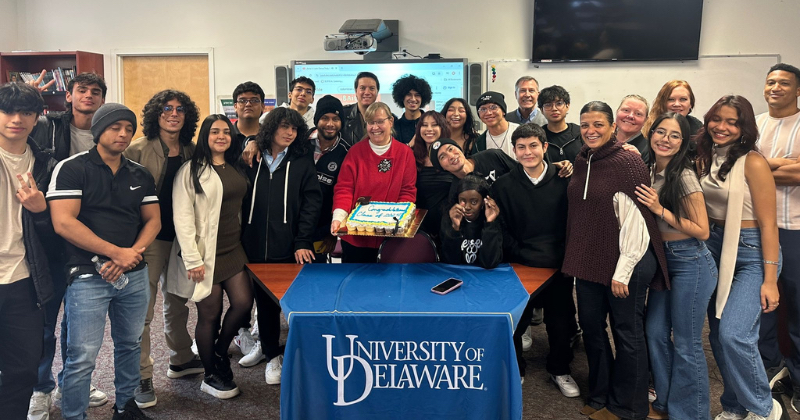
(169, 121)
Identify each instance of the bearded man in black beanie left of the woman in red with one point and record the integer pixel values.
(329, 151)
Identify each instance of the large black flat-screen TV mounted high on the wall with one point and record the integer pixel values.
(616, 30)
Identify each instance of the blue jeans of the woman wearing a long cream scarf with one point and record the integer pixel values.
(734, 337)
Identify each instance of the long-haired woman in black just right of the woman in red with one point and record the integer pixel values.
(433, 184)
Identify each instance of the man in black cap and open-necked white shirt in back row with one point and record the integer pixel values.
(492, 110)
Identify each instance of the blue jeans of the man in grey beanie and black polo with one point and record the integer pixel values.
(86, 303)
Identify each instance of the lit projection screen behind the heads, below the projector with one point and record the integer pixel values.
(447, 77)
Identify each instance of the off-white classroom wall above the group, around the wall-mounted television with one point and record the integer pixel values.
(250, 37)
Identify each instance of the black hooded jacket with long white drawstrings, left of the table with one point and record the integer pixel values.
(281, 209)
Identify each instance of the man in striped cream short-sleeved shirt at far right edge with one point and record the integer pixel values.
(779, 141)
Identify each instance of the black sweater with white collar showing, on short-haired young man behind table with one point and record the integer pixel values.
(534, 217)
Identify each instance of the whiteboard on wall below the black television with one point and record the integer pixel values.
(711, 77)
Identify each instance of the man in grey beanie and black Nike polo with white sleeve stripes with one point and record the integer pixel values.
(105, 206)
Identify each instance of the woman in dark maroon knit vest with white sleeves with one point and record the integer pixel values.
(614, 250)
